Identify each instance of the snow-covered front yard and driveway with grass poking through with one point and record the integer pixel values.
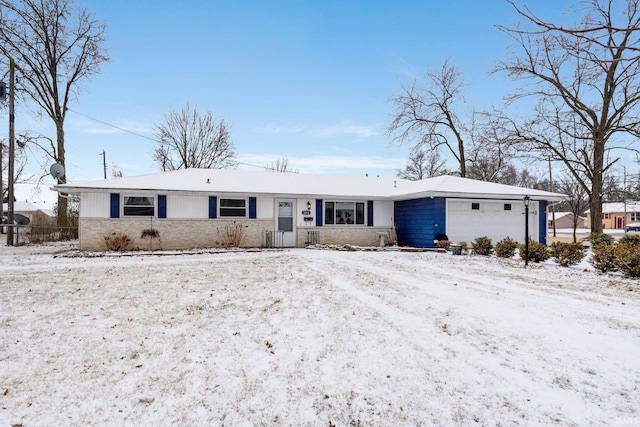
(313, 338)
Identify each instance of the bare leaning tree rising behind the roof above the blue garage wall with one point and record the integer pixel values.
(427, 114)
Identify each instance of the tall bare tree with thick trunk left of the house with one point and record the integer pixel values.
(56, 45)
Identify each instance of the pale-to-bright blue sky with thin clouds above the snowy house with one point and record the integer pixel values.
(309, 80)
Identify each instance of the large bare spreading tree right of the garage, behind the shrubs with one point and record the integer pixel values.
(586, 80)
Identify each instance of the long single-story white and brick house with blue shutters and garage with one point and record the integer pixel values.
(194, 208)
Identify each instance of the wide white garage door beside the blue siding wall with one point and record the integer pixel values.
(467, 219)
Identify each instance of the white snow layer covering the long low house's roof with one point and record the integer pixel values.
(274, 183)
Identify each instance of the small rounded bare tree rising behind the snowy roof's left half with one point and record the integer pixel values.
(188, 139)
